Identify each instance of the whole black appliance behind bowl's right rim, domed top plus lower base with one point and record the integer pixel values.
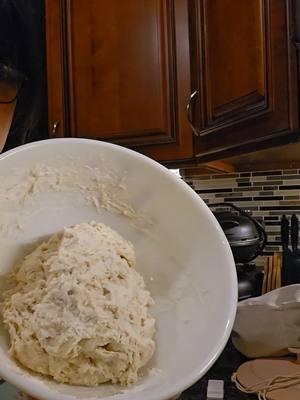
(247, 239)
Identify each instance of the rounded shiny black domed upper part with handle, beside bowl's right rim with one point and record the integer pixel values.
(246, 236)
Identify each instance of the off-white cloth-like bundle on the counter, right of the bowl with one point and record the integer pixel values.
(268, 325)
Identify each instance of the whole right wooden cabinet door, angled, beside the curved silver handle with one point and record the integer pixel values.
(244, 74)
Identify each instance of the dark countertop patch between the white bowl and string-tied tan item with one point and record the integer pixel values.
(225, 366)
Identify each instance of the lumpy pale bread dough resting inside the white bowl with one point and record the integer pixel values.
(76, 309)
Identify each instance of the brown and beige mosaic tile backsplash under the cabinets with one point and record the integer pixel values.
(266, 194)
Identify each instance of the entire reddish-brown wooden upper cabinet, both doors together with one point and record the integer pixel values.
(124, 71)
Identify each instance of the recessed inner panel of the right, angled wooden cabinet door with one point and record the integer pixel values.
(235, 60)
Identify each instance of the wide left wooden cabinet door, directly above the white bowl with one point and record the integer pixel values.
(125, 72)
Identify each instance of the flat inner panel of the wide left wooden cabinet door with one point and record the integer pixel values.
(120, 69)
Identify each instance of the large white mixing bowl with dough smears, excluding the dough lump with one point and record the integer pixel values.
(181, 251)
